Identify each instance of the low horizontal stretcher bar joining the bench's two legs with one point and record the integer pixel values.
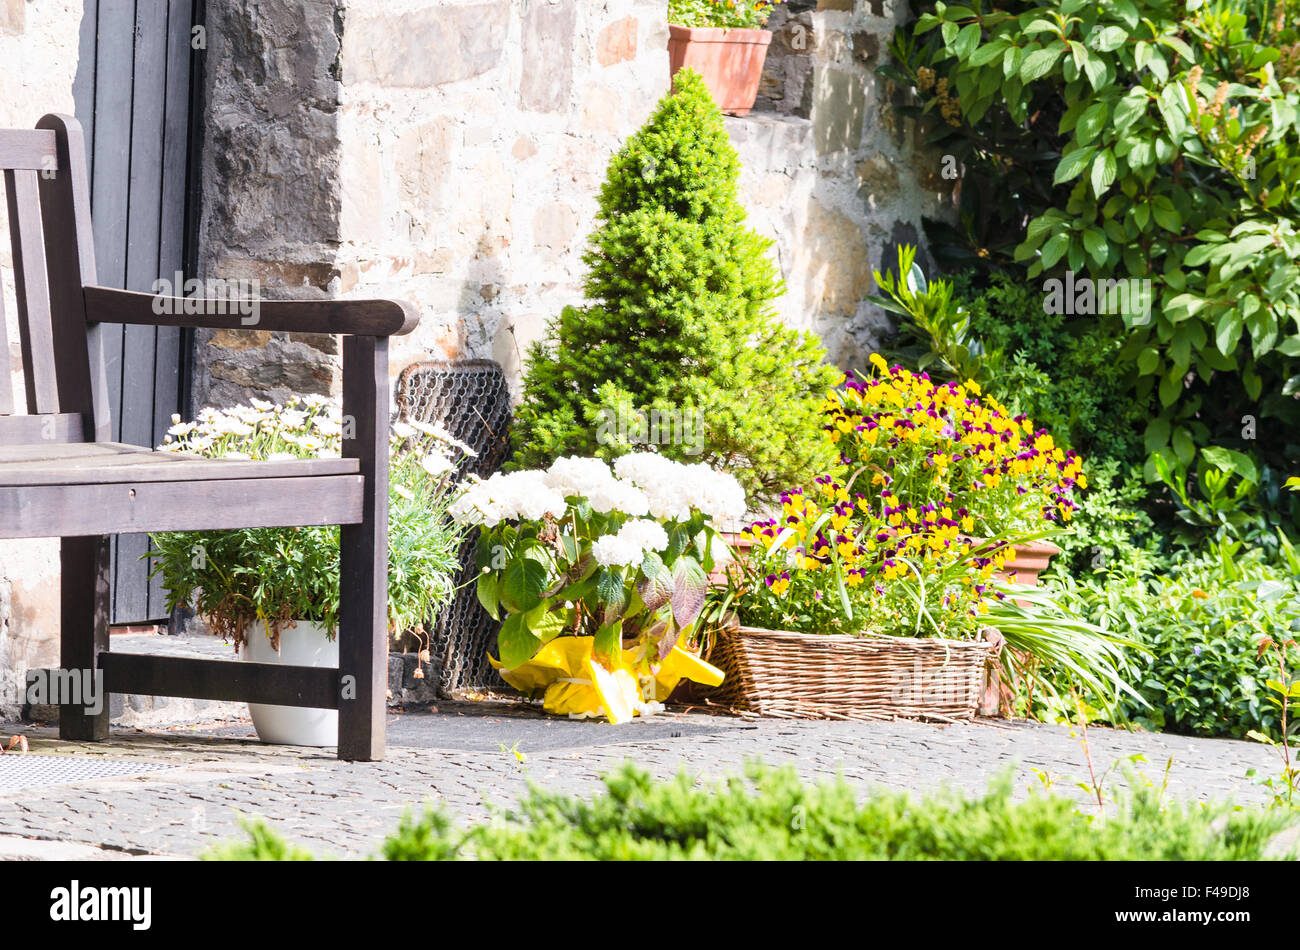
(222, 680)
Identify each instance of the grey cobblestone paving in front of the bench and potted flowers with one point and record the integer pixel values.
(462, 757)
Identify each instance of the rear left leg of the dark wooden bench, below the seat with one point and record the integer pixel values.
(84, 632)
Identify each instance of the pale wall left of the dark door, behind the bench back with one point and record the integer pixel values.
(38, 64)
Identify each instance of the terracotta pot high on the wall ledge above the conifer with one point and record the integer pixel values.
(731, 62)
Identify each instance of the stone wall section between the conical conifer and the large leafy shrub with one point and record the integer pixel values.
(833, 173)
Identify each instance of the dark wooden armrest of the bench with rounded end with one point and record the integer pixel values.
(352, 318)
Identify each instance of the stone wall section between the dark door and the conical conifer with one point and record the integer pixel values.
(443, 151)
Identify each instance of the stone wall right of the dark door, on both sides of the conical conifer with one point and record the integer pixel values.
(450, 153)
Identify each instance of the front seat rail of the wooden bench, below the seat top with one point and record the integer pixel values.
(135, 507)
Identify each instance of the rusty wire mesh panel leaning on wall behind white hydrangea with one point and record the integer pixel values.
(471, 401)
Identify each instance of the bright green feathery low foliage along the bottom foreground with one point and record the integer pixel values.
(773, 815)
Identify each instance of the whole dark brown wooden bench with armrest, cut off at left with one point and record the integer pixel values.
(63, 478)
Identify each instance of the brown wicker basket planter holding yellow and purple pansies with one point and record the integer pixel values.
(811, 676)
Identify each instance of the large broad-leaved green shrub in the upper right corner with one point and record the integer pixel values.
(1147, 140)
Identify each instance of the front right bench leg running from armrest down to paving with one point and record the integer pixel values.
(363, 648)
